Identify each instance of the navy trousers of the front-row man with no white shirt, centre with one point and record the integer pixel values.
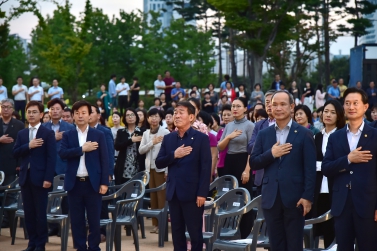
(182, 214)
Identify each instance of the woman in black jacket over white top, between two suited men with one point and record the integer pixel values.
(333, 119)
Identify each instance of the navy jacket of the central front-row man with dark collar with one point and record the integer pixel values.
(189, 176)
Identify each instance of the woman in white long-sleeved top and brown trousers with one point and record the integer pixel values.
(150, 145)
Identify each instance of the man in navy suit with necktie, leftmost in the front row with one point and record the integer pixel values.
(37, 148)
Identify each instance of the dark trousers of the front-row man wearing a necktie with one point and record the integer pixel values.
(35, 206)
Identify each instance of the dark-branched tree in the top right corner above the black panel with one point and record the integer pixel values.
(358, 23)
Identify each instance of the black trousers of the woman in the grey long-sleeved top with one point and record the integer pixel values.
(235, 165)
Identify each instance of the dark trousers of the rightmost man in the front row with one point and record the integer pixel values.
(349, 225)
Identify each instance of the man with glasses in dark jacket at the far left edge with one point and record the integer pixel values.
(9, 128)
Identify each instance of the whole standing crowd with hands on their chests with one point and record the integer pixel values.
(304, 151)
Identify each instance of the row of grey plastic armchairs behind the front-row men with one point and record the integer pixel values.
(127, 208)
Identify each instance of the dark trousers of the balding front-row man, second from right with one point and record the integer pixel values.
(285, 226)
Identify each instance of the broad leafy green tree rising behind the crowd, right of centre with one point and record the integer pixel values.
(261, 23)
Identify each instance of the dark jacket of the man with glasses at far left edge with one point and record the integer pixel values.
(6, 150)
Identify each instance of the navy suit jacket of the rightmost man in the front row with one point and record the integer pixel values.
(363, 176)
